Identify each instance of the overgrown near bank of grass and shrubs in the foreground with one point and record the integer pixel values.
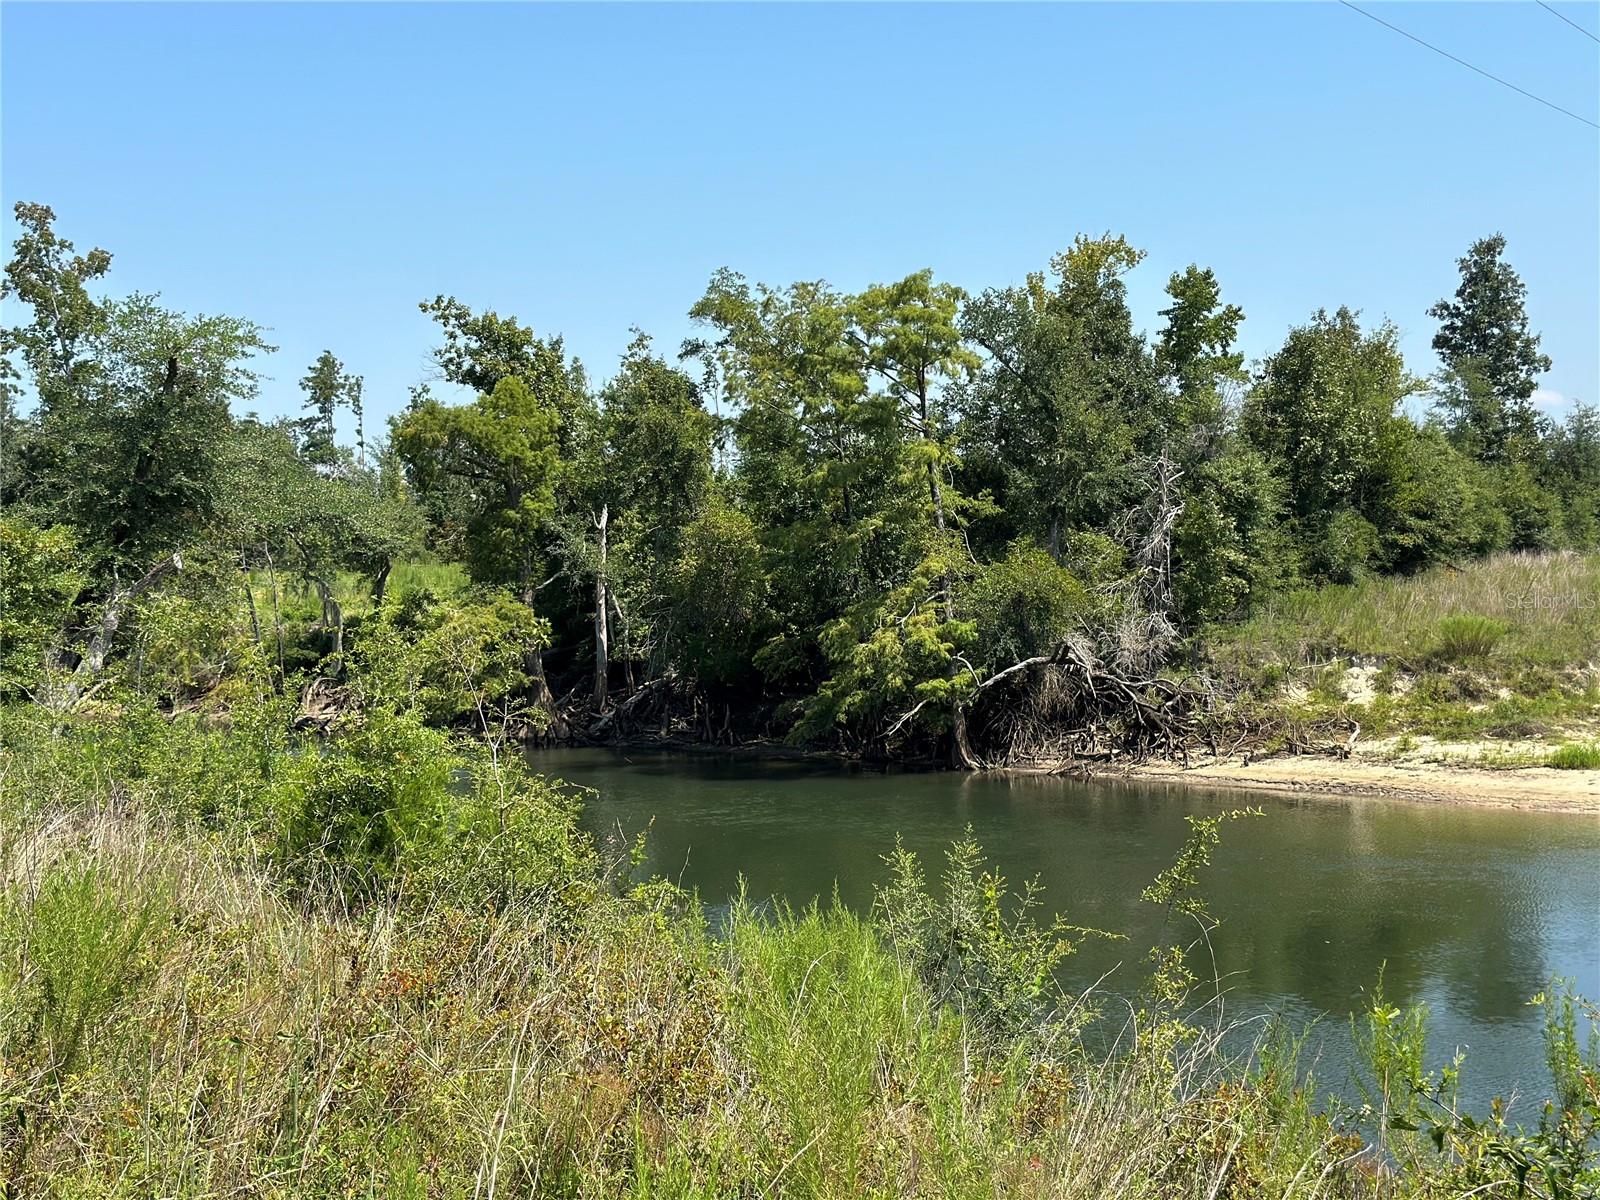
(239, 966)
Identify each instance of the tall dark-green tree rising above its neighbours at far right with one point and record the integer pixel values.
(1490, 356)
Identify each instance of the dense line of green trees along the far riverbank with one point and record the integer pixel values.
(871, 519)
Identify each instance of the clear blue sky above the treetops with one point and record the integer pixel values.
(321, 169)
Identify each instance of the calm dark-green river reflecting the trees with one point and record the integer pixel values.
(1466, 910)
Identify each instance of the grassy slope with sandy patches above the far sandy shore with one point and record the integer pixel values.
(1498, 662)
